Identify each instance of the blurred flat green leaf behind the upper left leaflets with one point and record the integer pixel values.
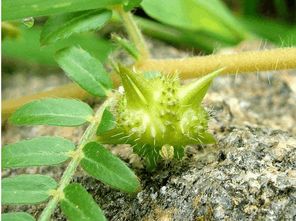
(27, 47)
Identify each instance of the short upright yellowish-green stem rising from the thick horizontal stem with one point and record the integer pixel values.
(134, 32)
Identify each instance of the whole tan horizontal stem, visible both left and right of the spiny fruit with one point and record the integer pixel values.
(276, 59)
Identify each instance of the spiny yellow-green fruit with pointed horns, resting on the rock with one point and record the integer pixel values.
(157, 116)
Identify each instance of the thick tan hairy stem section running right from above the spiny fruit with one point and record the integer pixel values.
(252, 61)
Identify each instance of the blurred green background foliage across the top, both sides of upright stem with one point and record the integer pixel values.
(195, 25)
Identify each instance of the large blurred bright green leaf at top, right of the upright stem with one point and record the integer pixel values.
(211, 15)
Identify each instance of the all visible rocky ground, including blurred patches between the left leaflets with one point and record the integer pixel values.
(249, 174)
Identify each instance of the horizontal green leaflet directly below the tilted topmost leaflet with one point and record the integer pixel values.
(53, 111)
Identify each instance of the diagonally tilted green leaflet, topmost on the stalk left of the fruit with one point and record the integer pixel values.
(85, 70)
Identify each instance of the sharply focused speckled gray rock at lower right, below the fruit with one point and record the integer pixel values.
(245, 182)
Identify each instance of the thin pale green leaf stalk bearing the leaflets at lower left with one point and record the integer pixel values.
(72, 166)
